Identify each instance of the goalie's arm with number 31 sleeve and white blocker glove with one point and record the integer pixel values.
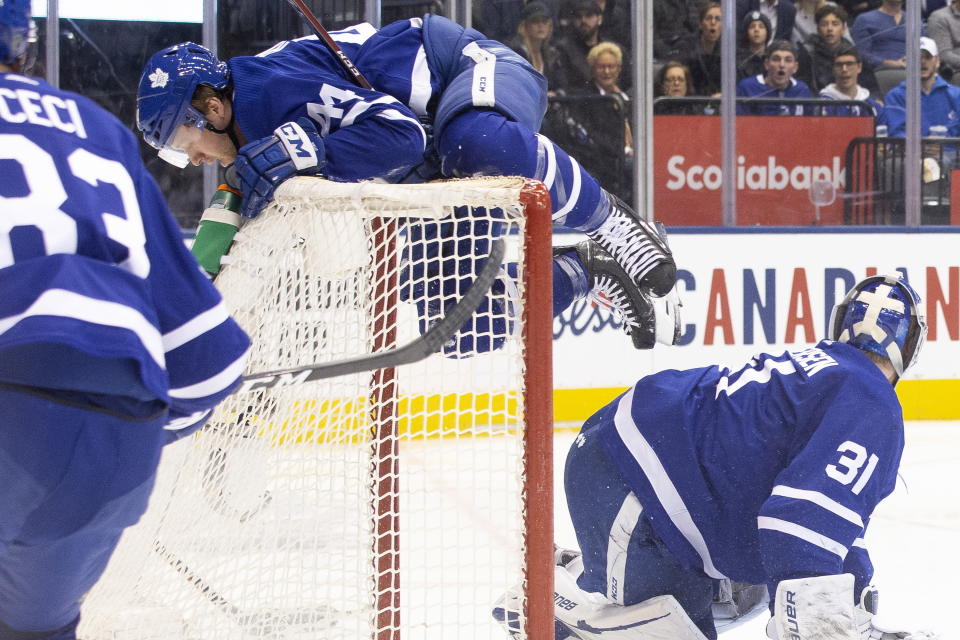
(811, 528)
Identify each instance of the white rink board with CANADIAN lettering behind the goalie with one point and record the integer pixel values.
(747, 292)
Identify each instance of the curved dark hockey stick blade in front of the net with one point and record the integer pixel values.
(414, 351)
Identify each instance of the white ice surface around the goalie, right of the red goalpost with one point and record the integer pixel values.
(912, 537)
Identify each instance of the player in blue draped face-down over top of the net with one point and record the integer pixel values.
(482, 104)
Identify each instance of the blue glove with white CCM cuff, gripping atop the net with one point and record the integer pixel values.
(295, 148)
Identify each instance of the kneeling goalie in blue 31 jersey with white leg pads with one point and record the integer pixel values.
(767, 475)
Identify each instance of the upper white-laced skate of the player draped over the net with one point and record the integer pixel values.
(639, 247)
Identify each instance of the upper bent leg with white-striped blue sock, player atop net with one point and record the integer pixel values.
(479, 142)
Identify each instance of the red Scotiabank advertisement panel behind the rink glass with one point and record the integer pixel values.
(779, 159)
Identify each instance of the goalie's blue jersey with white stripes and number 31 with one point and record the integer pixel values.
(766, 473)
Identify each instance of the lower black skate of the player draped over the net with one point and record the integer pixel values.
(611, 287)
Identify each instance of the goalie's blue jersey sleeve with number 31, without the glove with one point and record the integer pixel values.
(823, 498)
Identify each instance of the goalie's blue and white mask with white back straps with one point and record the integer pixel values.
(881, 314)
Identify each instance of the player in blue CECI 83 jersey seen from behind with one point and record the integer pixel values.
(110, 341)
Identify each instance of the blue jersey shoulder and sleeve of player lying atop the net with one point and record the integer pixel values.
(366, 134)
